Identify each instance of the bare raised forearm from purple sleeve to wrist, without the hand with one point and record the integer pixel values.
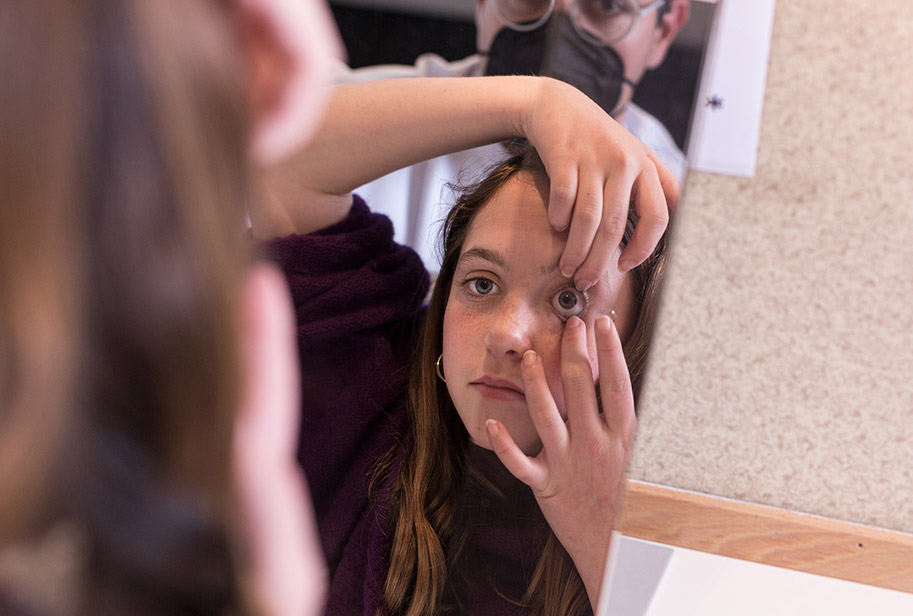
(373, 128)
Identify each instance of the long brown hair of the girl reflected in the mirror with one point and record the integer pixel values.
(424, 504)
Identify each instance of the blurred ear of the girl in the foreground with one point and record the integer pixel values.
(289, 46)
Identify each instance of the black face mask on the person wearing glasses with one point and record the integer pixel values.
(557, 50)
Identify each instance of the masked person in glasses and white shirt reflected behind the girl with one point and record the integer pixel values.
(602, 48)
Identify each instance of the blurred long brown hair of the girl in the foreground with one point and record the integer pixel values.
(123, 165)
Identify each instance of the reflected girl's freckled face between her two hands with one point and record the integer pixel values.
(508, 296)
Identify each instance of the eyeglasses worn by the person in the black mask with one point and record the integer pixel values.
(603, 22)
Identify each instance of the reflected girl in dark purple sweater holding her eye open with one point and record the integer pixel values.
(403, 409)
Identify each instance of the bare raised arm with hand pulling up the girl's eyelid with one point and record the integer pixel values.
(596, 167)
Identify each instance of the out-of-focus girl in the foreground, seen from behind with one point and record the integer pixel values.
(148, 399)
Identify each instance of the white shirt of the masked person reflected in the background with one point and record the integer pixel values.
(418, 198)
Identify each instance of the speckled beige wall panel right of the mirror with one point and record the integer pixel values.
(783, 366)
